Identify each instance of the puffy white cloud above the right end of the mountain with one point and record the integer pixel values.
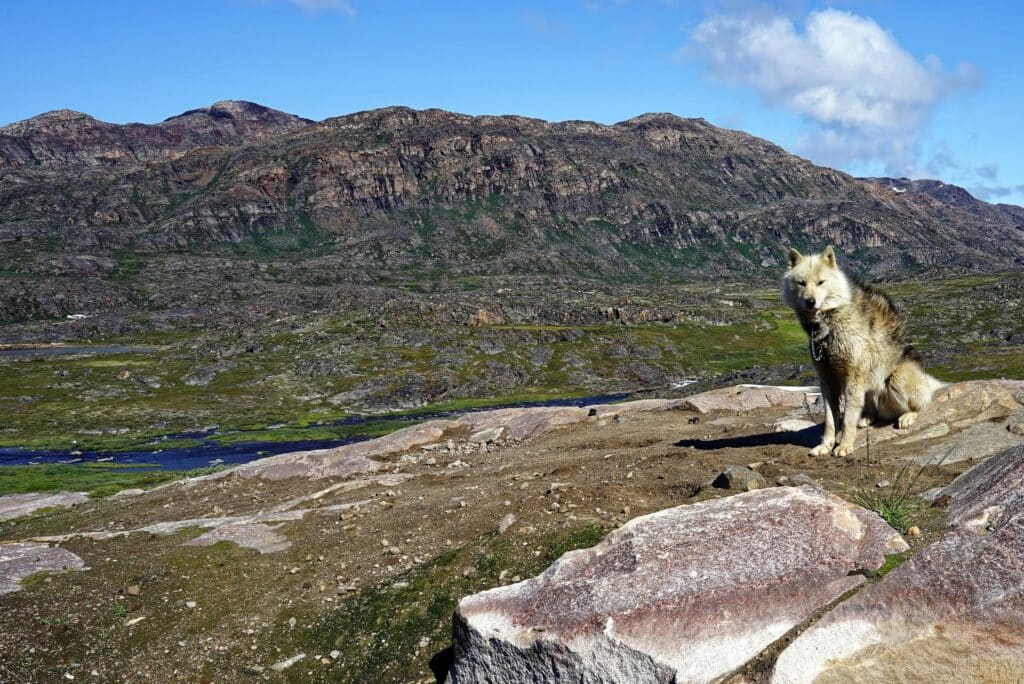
(866, 97)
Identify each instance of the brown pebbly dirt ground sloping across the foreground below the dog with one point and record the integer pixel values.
(376, 583)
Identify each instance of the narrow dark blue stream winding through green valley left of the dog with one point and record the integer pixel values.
(165, 455)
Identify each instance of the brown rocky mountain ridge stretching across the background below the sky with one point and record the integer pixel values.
(439, 193)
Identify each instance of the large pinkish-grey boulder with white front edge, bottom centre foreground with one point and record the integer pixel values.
(689, 594)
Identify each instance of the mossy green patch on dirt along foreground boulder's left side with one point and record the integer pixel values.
(379, 631)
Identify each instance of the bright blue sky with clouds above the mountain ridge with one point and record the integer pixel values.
(926, 90)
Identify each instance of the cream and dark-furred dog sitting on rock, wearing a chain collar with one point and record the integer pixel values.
(861, 349)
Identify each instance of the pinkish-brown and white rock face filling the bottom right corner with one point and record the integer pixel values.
(955, 613)
